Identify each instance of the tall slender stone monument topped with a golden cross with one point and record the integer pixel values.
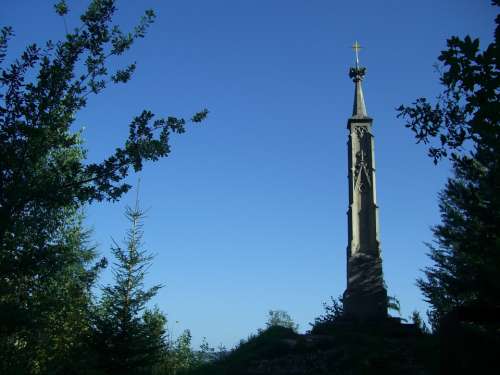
(365, 297)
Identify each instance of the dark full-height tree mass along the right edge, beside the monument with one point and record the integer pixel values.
(465, 121)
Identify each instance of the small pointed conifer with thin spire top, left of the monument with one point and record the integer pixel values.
(129, 338)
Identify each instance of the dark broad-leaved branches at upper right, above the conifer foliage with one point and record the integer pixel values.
(467, 109)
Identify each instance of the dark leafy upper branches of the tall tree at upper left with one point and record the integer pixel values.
(40, 113)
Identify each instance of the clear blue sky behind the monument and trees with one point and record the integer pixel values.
(248, 213)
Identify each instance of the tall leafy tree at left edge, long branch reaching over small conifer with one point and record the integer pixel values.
(44, 176)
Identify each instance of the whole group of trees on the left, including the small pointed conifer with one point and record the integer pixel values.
(51, 319)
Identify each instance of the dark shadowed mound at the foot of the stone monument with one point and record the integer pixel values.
(339, 348)
